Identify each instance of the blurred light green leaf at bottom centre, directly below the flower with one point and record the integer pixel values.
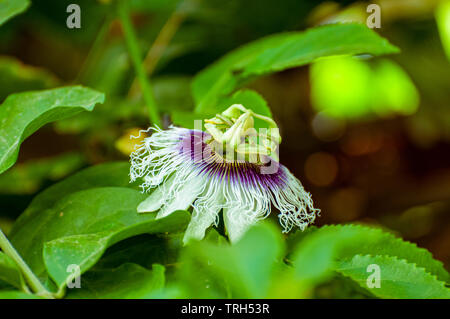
(243, 270)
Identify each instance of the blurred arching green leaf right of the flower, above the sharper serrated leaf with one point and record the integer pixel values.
(315, 255)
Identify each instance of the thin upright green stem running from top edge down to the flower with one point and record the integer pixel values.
(135, 55)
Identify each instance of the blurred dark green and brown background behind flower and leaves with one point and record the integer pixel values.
(369, 138)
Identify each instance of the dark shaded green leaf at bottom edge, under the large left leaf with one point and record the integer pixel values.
(129, 281)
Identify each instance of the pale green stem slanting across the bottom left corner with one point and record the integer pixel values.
(30, 277)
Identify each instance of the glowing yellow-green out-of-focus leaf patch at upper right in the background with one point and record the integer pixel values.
(351, 88)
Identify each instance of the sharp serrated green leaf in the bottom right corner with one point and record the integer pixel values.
(398, 278)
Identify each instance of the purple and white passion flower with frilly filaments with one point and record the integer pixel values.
(229, 167)
